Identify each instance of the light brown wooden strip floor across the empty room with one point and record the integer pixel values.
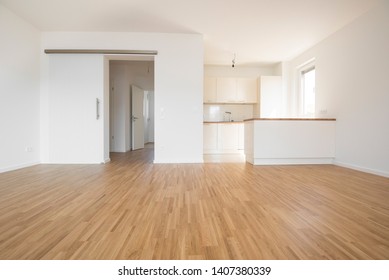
(133, 209)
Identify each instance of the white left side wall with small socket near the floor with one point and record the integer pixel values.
(19, 92)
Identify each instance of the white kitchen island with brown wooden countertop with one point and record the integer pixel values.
(289, 141)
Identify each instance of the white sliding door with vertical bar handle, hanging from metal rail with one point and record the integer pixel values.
(76, 109)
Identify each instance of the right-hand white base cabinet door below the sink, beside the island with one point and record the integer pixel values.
(228, 138)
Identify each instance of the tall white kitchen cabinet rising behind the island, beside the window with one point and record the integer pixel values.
(270, 97)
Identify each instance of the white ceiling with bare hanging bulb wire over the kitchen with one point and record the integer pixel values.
(258, 31)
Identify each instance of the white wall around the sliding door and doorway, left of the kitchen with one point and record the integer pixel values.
(178, 86)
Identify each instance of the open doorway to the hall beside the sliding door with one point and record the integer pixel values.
(131, 109)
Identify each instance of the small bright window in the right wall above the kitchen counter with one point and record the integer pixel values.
(307, 88)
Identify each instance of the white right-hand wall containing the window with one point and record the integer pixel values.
(352, 85)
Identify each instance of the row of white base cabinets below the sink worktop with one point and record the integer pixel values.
(223, 138)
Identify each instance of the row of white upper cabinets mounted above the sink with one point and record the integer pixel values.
(230, 90)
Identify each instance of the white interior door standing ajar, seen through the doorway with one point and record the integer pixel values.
(137, 109)
